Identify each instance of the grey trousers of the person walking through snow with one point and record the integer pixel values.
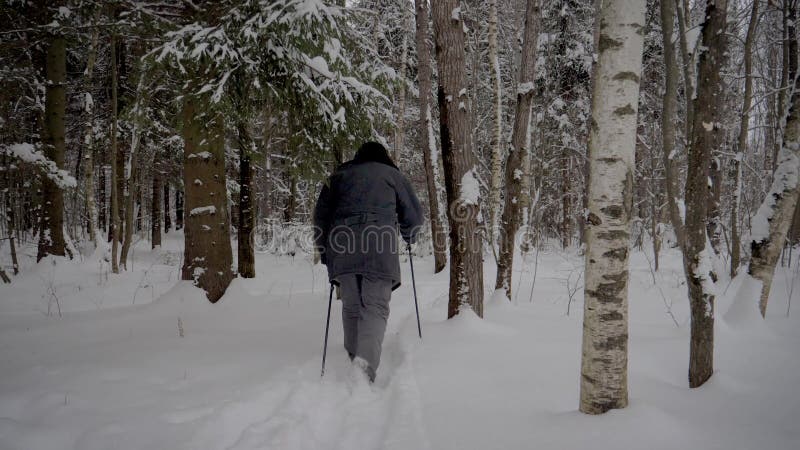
(365, 309)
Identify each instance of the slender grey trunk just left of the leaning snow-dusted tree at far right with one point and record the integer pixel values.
(741, 149)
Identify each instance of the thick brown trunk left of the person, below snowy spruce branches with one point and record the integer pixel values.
(207, 250)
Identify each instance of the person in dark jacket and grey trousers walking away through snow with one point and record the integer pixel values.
(356, 219)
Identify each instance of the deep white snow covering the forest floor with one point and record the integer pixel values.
(142, 360)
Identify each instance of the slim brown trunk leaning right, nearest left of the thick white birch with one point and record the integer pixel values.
(517, 177)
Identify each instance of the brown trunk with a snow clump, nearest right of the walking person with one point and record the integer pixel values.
(460, 168)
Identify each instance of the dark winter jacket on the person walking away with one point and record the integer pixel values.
(357, 217)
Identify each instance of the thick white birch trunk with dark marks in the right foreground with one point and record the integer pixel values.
(612, 143)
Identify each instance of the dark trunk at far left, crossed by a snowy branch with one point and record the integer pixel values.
(51, 228)
